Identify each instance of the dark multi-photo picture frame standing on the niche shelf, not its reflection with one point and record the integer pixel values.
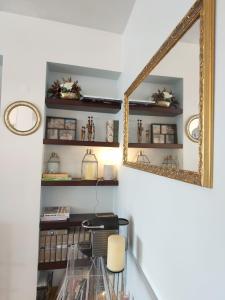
(59, 128)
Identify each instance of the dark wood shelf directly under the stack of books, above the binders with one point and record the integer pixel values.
(74, 220)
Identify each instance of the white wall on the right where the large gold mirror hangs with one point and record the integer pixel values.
(178, 229)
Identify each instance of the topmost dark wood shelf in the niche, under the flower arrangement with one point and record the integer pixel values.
(86, 104)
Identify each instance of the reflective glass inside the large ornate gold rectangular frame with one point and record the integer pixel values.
(160, 107)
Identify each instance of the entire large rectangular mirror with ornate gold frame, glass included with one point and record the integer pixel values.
(177, 82)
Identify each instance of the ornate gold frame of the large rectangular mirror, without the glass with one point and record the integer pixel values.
(205, 10)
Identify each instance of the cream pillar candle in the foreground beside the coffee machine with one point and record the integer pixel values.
(116, 253)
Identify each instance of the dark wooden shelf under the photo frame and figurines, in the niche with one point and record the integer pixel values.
(80, 143)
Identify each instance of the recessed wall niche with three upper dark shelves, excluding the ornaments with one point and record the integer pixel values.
(95, 84)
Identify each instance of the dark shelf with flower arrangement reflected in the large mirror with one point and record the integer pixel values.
(149, 110)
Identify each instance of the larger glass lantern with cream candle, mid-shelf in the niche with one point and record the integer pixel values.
(89, 168)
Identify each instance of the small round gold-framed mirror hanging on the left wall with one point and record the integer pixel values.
(22, 118)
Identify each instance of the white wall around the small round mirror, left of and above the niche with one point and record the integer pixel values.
(26, 45)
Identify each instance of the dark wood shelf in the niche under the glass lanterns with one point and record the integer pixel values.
(79, 182)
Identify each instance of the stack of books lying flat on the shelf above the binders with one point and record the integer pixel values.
(55, 213)
